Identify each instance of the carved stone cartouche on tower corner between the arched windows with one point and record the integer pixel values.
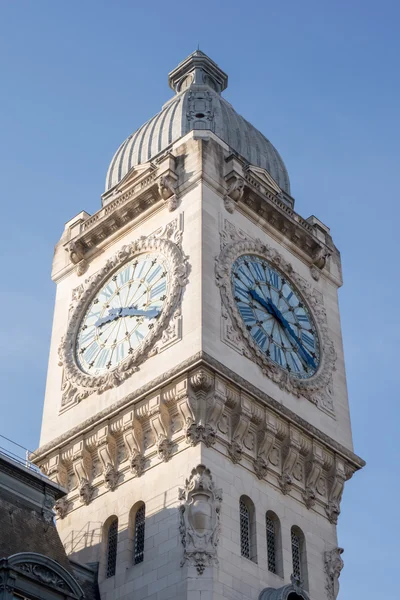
(200, 519)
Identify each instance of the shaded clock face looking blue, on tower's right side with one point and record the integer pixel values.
(276, 316)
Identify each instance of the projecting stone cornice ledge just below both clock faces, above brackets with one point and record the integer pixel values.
(196, 360)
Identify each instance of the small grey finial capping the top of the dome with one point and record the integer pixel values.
(198, 69)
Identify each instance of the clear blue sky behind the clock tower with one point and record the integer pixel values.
(320, 78)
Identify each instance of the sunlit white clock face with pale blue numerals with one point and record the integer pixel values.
(122, 314)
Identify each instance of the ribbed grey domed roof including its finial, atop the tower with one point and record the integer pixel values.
(198, 104)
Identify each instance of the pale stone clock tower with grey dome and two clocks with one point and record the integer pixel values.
(196, 406)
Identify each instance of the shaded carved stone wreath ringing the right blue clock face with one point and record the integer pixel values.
(309, 388)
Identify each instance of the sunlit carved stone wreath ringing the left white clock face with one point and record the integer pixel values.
(78, 385)
